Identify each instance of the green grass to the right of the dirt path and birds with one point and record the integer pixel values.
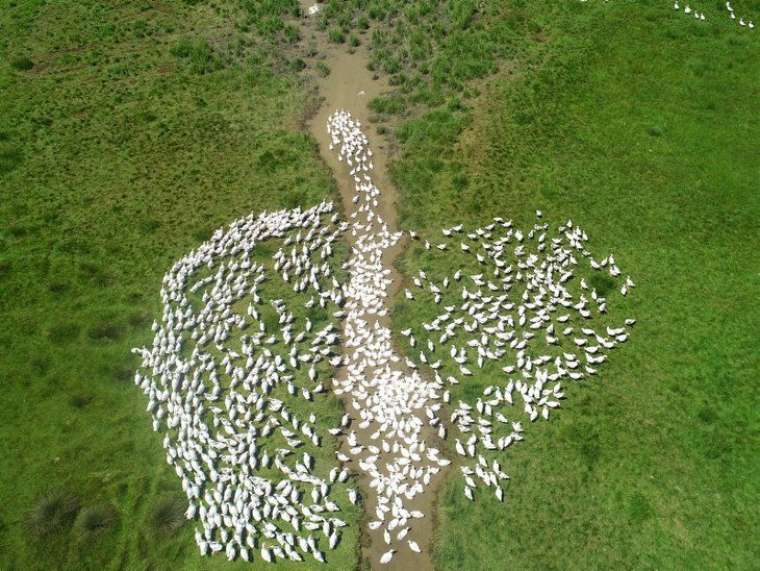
(642, 127)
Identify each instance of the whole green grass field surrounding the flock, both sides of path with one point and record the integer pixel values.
(129, 132)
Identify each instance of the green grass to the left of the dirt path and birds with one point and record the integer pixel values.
(127, 135)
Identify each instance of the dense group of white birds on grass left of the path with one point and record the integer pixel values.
(222, 365)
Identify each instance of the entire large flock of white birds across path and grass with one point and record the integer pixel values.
(230, 371)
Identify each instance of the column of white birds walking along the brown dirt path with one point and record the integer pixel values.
(391, 402)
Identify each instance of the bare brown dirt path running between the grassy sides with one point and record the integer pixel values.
(350, 86)
